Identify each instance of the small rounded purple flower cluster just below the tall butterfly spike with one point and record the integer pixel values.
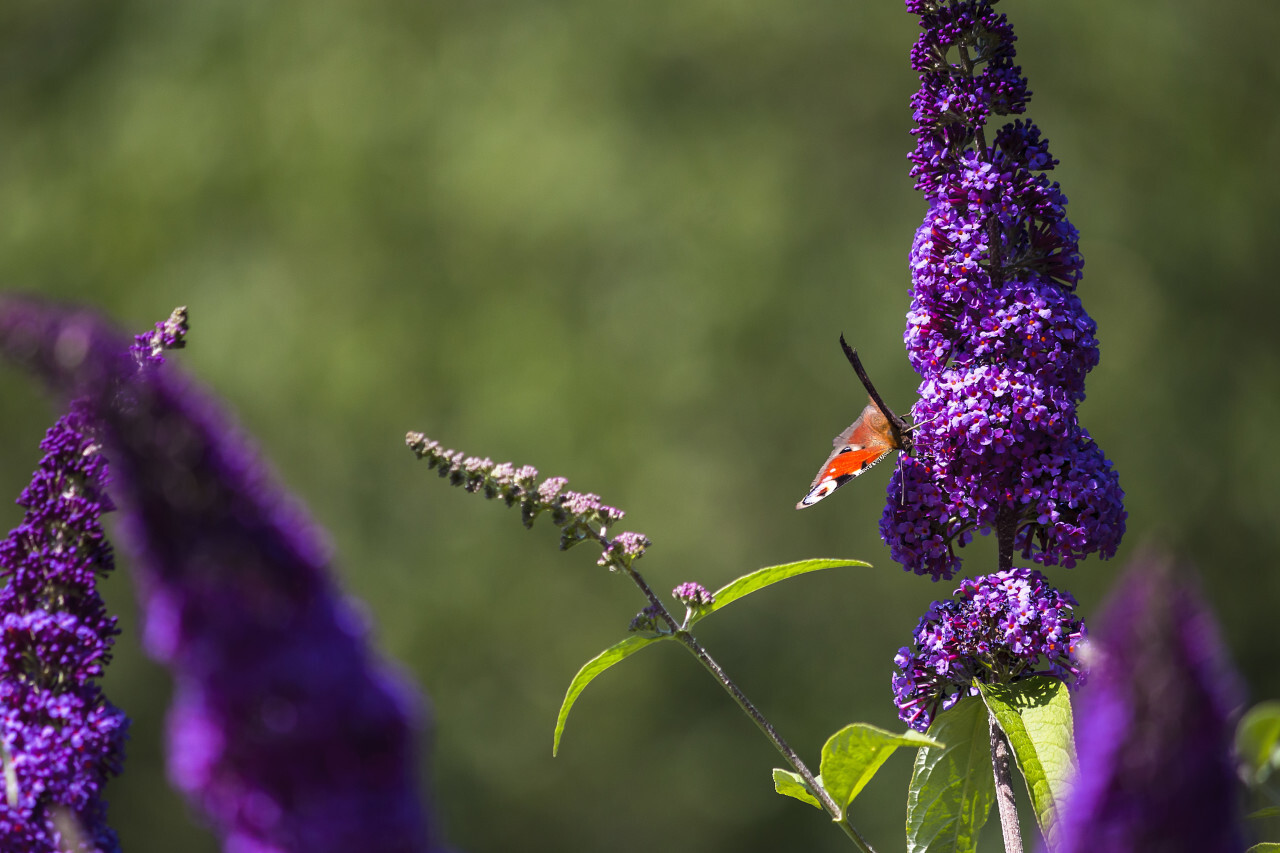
(1003, 628)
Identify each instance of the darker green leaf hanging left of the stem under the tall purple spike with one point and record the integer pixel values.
(953, 788)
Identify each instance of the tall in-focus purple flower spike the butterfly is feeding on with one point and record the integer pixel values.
(995, 330)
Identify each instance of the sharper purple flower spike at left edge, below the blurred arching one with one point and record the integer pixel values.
(62, 740)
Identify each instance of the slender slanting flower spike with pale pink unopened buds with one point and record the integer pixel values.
(582, 517)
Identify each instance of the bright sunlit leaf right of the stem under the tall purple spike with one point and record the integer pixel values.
(1036, 715)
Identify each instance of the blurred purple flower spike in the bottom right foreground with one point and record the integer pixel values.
(1155, 727)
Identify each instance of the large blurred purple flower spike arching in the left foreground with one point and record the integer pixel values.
(286, 731)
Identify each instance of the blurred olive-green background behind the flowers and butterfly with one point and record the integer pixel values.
(618, 241)
